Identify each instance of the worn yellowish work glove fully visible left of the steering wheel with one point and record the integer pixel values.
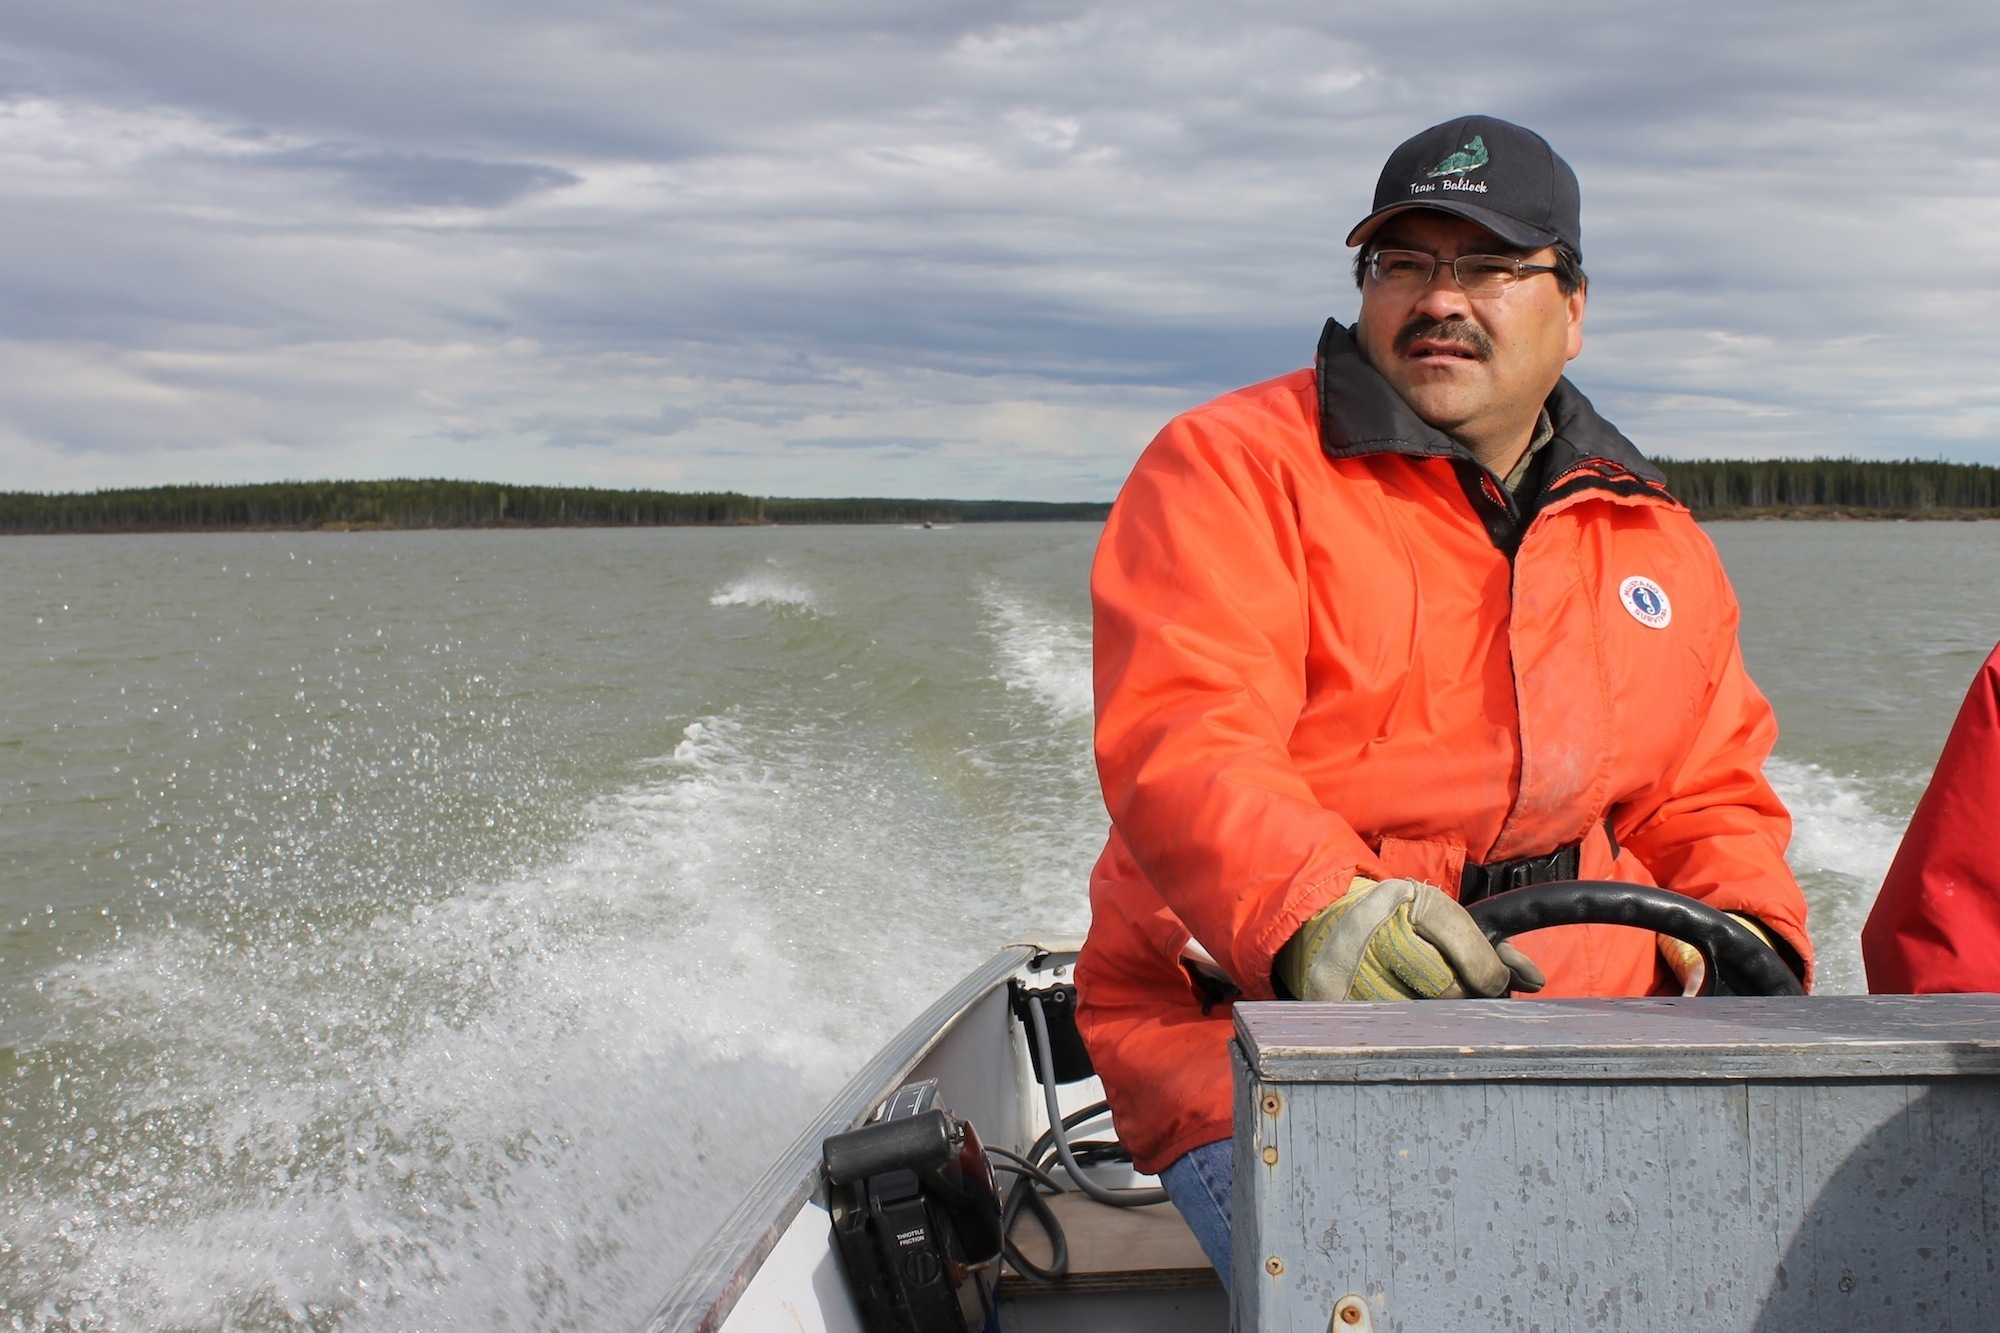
(1399, 940)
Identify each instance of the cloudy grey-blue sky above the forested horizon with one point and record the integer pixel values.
(985, 251)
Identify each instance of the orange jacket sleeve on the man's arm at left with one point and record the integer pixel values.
(1201, 647)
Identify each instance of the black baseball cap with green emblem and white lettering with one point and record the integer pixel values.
(1487, 171)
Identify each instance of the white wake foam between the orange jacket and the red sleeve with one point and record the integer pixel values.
(1841, 850)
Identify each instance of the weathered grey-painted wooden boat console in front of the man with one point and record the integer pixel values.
(1723, 1164)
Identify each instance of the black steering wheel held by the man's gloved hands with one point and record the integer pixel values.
(1739, 962)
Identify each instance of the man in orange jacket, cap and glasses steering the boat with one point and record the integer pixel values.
(1395, 633)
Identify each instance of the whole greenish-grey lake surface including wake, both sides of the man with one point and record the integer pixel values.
(441, 930)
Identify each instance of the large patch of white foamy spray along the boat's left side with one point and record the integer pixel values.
(511, 1108)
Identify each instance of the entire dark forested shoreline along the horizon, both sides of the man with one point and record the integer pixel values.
(1711, 487)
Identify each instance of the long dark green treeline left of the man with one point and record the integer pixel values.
(469, 505)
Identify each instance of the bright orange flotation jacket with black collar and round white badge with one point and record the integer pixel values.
(1317, 653)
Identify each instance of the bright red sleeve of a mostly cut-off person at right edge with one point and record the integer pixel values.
(1937, 924)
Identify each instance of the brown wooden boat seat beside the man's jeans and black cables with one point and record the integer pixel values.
(1113, 1250)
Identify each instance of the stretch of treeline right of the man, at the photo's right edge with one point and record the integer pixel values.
(1721, 487)
